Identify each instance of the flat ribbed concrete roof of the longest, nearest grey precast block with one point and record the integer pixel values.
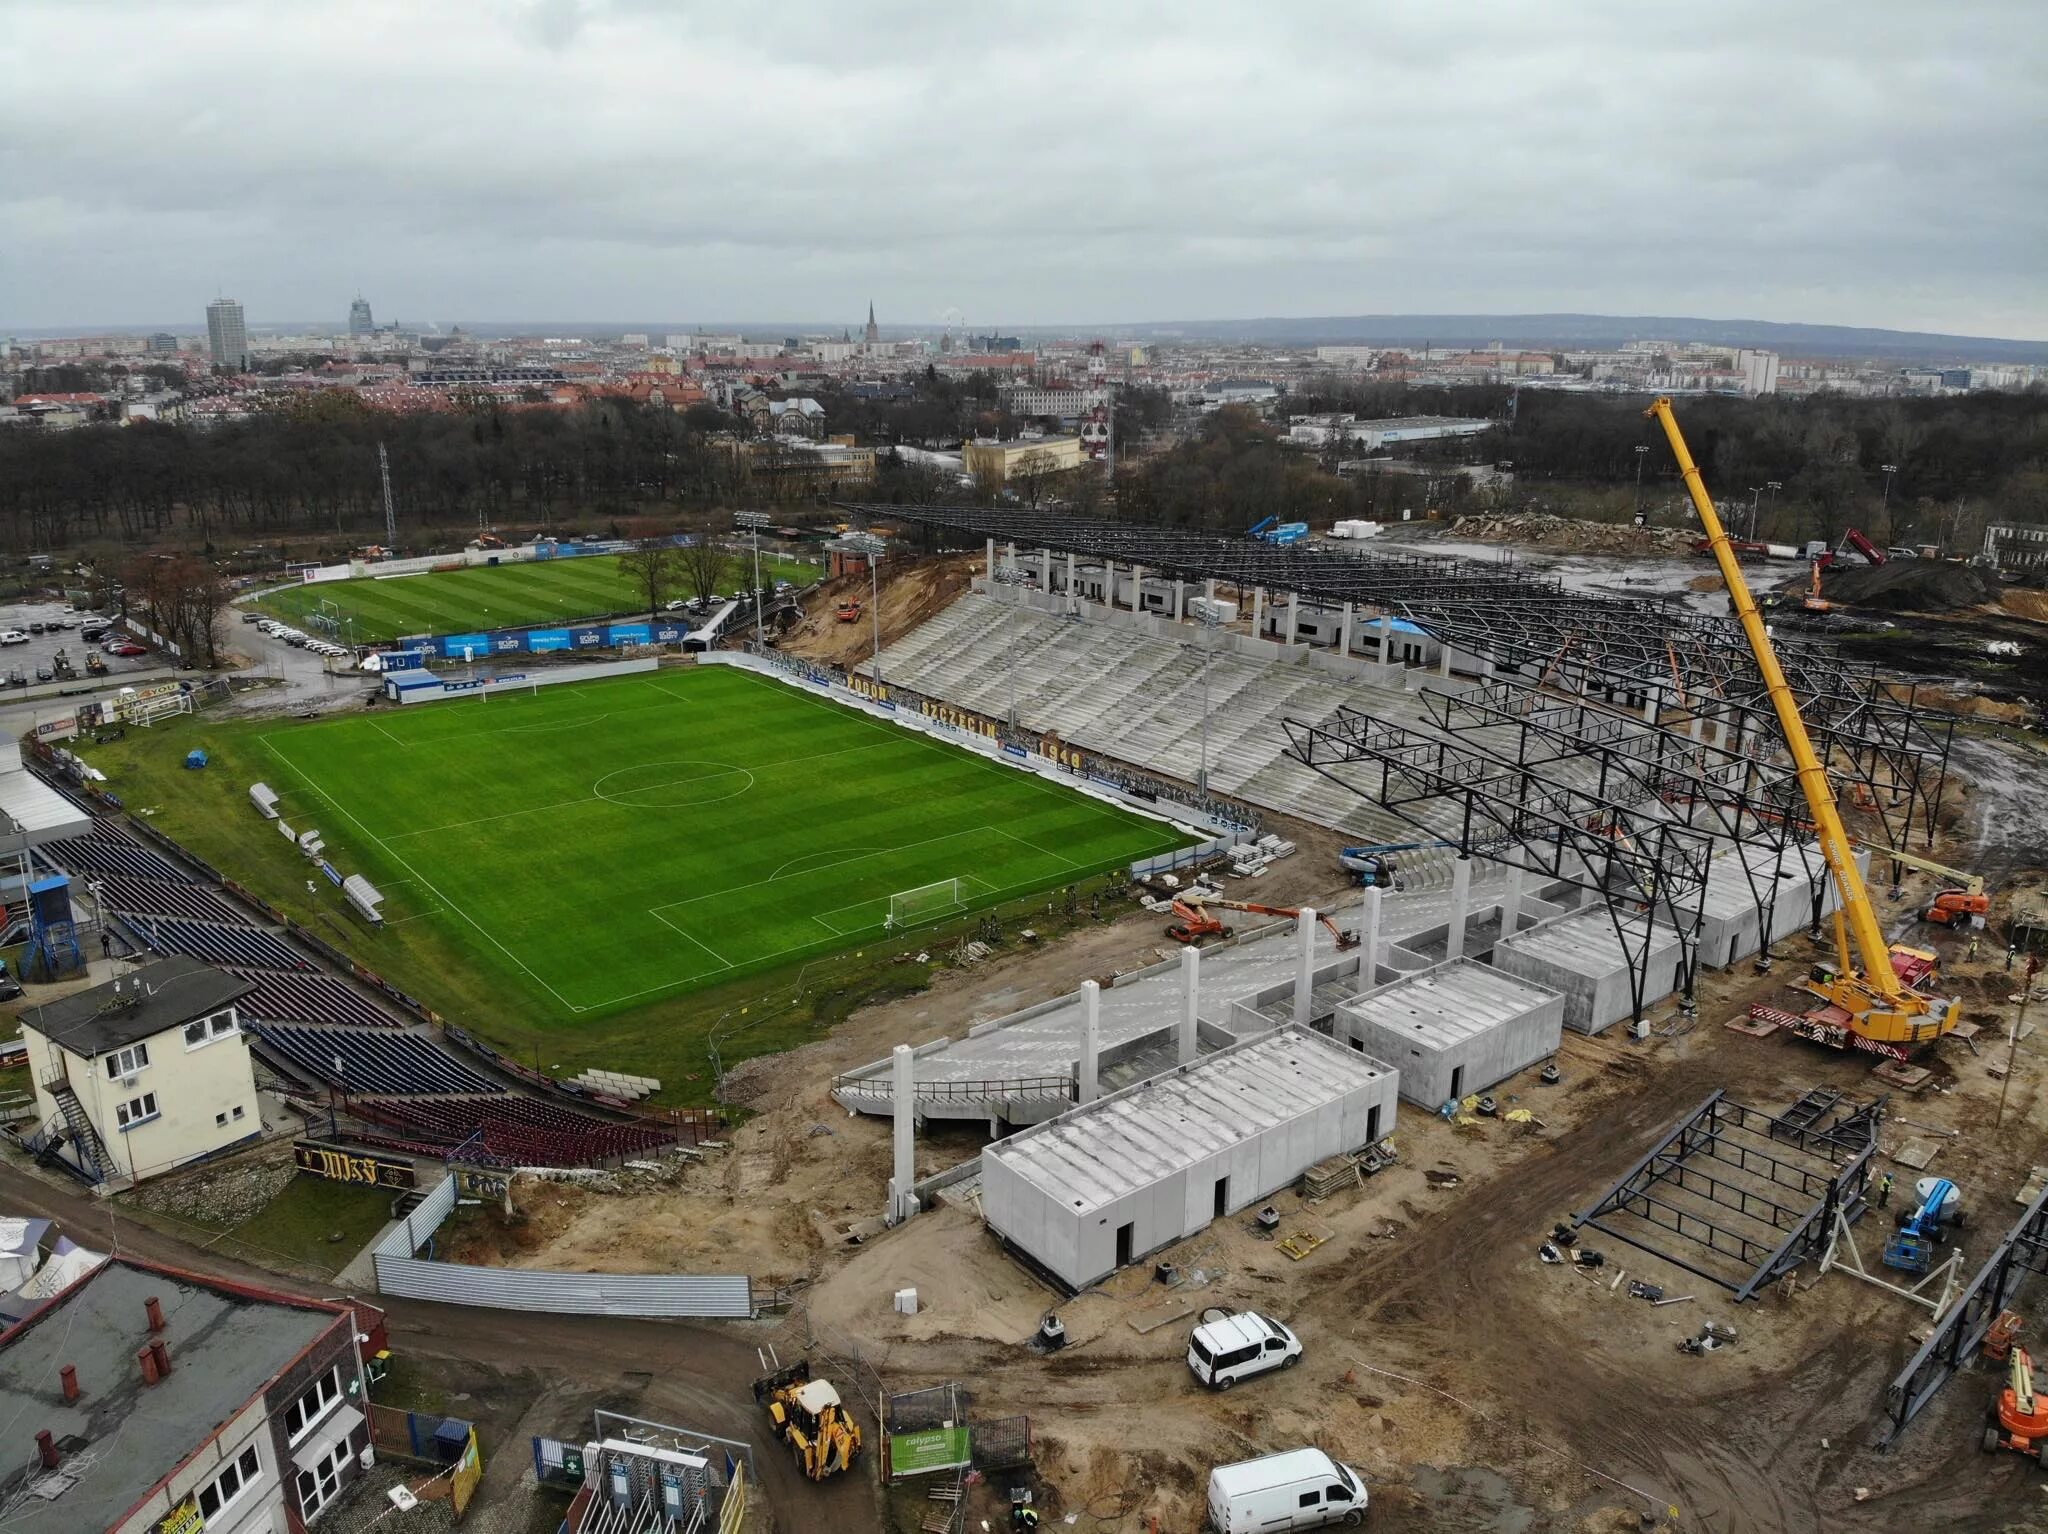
(1132, 1140)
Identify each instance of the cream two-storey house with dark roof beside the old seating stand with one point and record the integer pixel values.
(142, 1074)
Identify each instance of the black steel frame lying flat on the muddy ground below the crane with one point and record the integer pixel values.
(1719, 1136)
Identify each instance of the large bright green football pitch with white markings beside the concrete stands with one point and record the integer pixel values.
(603, 845)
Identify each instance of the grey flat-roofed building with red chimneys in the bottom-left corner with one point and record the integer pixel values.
(157, 1402)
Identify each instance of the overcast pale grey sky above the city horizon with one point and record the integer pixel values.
(1873, 165)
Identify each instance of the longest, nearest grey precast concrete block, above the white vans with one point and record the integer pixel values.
(1123, 1177)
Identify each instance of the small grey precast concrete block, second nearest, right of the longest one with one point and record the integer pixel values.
(1455, 1029)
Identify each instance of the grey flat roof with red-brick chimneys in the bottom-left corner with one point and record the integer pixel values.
(122, 1437)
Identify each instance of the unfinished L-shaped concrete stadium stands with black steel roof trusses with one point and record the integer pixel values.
(1596, 792)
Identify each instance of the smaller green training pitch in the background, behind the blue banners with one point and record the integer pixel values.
(493, 597)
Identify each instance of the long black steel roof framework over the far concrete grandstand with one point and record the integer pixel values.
(1654, 656)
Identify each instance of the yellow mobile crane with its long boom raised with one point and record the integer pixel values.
(1877, 1007)
